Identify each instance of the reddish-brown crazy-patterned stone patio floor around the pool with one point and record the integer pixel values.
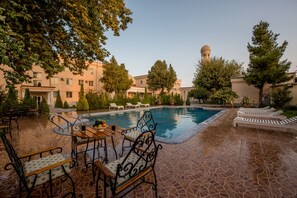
(220, 161)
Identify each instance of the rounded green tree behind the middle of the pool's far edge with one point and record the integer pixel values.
(161, 77)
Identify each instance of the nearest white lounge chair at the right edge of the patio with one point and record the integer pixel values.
(287, 124)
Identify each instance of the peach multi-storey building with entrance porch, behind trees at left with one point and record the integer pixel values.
(65, 82)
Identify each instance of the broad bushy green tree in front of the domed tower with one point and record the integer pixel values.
(216, 73)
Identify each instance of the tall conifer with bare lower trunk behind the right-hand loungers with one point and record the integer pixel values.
(265, 64)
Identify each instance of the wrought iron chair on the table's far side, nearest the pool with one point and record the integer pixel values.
(145, 123)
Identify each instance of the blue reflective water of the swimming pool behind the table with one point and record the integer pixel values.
(175, 125)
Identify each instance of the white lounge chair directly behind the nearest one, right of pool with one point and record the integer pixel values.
(276, 115)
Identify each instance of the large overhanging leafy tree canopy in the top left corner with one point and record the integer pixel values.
(56, 34)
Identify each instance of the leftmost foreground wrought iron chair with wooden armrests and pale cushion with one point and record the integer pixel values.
(49, 166)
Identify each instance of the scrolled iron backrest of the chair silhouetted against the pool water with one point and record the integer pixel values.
(146, 122)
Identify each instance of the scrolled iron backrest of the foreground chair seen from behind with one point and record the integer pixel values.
(140, 158)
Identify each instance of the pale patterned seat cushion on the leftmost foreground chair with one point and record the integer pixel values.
(41, 163)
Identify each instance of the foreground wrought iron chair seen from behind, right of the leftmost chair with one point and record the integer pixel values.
(126, 173)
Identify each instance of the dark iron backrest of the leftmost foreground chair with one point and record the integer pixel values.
(15, 161)
